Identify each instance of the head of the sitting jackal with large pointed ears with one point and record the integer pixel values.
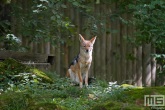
(86, 46)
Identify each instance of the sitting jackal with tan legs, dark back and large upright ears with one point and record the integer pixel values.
(78, 69)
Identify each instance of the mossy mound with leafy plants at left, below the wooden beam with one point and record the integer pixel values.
(14, 74)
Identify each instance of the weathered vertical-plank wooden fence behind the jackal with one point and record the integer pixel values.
(114, 58)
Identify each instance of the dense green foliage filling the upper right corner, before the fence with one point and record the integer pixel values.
(148, 18)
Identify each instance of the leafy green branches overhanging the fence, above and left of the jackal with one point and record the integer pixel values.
(49, 20)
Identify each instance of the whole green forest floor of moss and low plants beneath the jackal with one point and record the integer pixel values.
(47, 91)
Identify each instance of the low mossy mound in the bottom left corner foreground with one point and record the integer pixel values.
(24, 101)
